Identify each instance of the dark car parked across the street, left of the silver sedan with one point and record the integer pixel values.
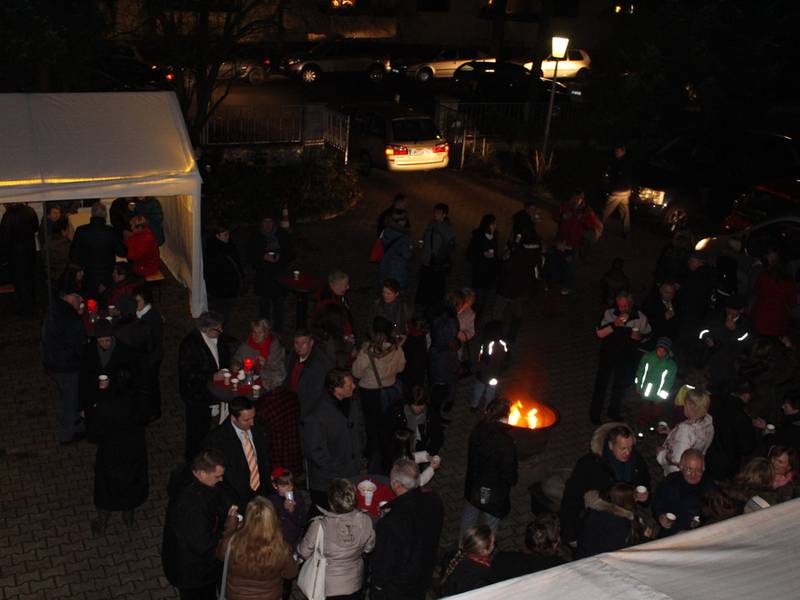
(339, 56)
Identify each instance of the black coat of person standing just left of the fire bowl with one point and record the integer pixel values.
(491, 468)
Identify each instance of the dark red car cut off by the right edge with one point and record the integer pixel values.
(763, 202)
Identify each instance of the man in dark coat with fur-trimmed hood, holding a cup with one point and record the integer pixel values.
(612, 459)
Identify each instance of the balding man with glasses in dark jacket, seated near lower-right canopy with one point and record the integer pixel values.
(678, 499)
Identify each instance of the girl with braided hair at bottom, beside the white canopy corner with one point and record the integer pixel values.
(469, 569)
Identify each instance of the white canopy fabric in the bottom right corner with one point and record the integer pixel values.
(751, 556)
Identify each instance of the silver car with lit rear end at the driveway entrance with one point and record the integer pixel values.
(397, 138)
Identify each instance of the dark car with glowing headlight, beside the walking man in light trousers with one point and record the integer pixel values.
(695, 177)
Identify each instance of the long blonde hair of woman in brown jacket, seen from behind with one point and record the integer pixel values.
(259, 542)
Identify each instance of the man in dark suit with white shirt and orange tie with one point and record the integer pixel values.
(245, 444)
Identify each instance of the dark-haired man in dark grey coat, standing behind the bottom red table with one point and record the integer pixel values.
(333, 436)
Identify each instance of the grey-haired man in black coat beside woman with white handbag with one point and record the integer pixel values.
(406, 538)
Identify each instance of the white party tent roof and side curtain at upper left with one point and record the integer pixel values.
(108, 145)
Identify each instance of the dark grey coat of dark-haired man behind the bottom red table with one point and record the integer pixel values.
(333, 443)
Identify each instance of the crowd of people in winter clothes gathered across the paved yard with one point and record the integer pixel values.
(707, 361)
